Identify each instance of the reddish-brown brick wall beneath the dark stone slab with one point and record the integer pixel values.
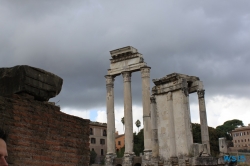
(41, 135)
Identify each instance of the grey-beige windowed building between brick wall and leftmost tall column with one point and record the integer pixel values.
(98, 139)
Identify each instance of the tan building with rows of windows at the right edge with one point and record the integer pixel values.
(241, 137)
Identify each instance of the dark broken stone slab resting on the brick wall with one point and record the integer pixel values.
(36, 82)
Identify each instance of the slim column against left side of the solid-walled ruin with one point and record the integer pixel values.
(155, 144)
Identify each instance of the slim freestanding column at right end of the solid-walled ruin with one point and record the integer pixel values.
(203, 119)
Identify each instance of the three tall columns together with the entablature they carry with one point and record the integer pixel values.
(125, 61)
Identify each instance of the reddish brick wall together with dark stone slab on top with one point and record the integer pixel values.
(38, 132)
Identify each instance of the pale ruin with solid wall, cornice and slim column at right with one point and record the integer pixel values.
(171, 121)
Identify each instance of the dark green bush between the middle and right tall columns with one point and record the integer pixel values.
(138, 142)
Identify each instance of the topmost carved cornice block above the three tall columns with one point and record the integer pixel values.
(123, 51)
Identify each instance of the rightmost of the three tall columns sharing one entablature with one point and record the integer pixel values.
(145, 74)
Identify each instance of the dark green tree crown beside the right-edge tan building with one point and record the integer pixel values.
(228, 126)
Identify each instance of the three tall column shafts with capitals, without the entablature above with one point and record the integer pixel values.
(128, 115)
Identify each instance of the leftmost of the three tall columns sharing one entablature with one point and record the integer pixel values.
(110, 120)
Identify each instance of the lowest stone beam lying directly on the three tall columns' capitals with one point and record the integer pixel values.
(131, 68)
